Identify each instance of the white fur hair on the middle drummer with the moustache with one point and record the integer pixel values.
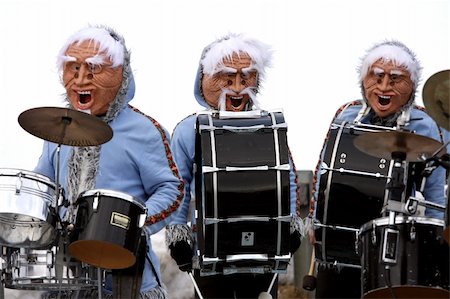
(224, 48)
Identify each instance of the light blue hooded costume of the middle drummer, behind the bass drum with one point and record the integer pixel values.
(183, 147)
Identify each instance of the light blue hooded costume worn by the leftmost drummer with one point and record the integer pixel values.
(136, 161)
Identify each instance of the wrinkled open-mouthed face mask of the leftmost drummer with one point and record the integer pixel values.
(89, 78)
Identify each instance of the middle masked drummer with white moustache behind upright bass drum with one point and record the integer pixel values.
(229, 76)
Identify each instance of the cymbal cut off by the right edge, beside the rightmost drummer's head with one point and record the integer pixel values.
(436, 98)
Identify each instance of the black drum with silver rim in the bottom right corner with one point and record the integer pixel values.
(405, 259)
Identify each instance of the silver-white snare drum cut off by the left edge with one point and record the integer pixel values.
(27, 214)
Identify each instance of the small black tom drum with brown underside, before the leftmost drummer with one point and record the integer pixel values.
(108, 228)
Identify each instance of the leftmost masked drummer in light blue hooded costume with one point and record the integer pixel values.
(96, 73)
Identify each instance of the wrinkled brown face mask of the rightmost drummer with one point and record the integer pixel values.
(387, 88)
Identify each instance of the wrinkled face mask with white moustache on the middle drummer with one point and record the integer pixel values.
(233, 85)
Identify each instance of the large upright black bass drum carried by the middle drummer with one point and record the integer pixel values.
(242, 192)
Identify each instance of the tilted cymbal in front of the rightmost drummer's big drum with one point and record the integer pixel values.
(382, 144)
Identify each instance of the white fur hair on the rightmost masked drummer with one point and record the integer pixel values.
(395, 52)
